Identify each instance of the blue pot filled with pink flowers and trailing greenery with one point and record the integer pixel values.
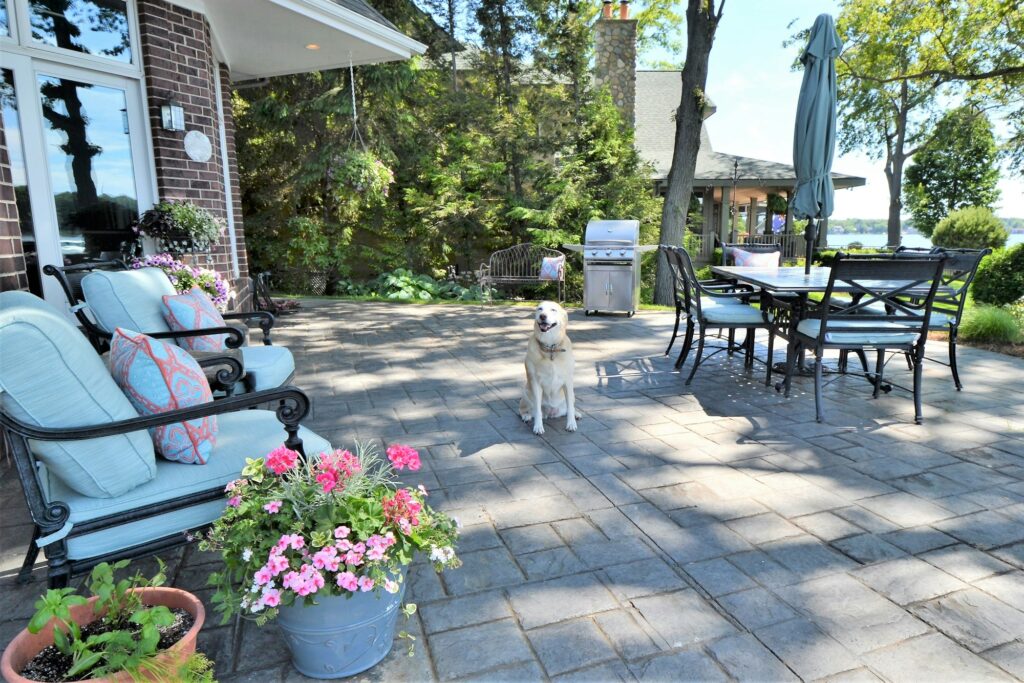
(324, 545)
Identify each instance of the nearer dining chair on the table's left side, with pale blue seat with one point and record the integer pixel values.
(711, 309)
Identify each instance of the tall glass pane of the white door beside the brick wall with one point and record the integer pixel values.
(92, 174)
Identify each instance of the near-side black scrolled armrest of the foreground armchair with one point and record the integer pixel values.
(293, 407)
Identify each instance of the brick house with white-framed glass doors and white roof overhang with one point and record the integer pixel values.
(191, 53)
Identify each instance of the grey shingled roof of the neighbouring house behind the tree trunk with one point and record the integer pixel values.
(658, 100)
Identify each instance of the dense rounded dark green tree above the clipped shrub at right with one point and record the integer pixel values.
(957, 168)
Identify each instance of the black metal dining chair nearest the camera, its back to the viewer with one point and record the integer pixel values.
(901, 326)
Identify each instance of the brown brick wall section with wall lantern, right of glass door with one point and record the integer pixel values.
(179, 61)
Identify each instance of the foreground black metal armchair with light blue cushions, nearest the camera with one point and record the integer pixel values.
(95, 488)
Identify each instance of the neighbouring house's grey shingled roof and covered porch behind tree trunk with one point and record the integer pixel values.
(728, 185)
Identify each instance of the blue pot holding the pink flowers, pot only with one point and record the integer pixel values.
(342, 636)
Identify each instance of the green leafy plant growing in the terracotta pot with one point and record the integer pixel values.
(133, 630)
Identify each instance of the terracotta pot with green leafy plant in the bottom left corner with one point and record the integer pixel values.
(131, 629)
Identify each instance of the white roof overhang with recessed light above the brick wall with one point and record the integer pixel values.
(264, 38)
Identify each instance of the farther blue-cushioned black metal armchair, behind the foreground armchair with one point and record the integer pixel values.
(107, 296)
